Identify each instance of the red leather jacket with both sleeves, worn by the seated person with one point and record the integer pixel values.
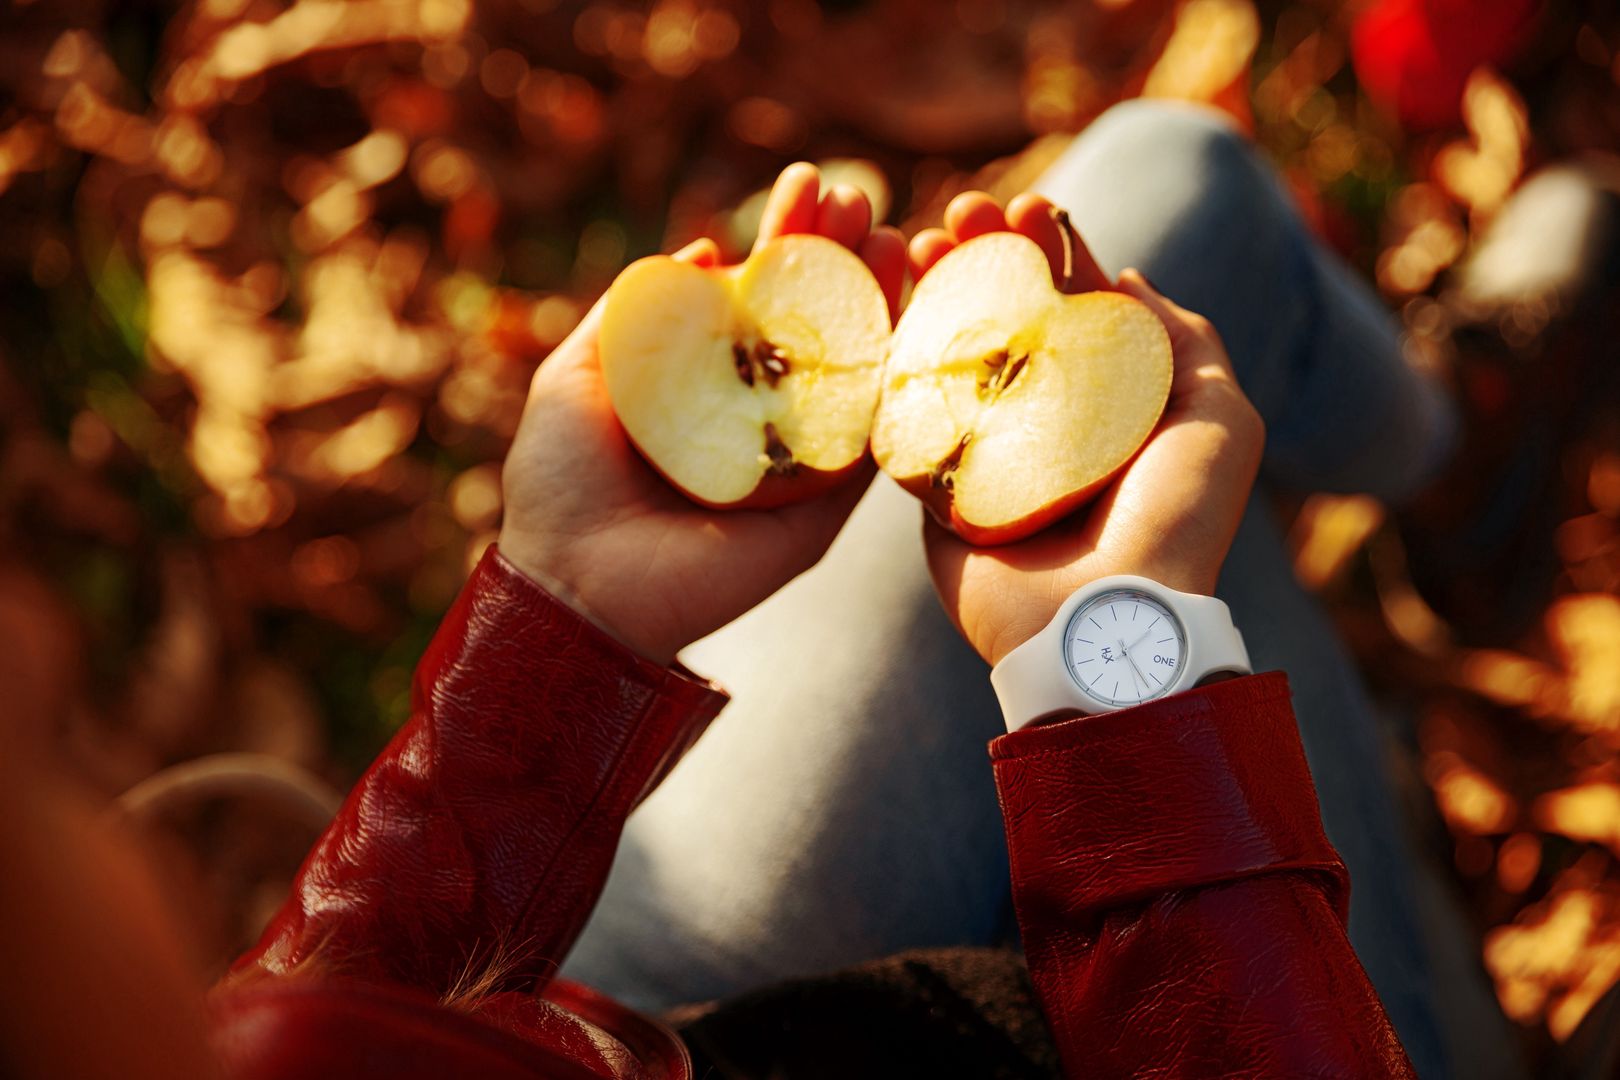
(1182, 911)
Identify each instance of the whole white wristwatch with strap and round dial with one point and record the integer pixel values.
(1115, 644)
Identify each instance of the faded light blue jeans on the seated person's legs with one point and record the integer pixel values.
(842, 809)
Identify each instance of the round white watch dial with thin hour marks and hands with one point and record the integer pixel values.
(1123, 648)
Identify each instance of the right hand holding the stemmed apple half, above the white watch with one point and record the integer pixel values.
(1174, 511)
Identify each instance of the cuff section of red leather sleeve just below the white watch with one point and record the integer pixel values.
(1201, 788)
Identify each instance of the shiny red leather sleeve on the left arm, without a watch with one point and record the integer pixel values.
(484, 833)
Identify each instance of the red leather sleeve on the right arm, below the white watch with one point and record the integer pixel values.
(1182, 909)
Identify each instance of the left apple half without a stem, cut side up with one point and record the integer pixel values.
(749, 386)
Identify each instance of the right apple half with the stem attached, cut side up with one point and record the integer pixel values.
(1008, 404)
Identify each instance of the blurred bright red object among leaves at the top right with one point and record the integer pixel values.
(1415, 56)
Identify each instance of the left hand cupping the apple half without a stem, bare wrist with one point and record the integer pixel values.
(589, 521)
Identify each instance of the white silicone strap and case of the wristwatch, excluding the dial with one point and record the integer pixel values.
(1034, 681)
